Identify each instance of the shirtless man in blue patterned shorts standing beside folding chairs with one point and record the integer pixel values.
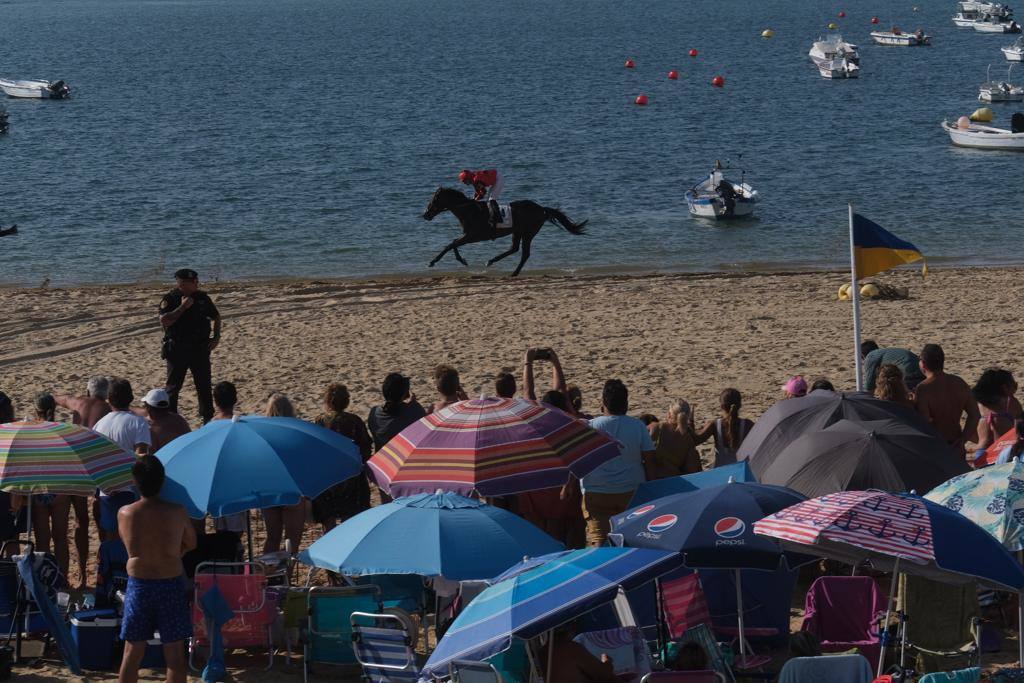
(156, 534)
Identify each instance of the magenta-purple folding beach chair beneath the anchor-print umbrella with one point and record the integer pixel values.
(844, 614)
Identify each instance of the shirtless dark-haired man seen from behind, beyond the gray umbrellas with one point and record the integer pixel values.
(944, 399)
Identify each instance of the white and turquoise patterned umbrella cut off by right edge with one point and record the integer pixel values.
(993, 499)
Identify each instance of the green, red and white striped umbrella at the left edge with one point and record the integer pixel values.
(61, 458)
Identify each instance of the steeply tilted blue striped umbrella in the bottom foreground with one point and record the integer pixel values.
(542, 594)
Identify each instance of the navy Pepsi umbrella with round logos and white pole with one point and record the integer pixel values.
(713, 529)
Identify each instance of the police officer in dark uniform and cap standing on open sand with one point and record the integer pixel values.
(186, 315)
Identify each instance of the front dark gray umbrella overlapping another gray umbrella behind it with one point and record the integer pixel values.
(857, 456)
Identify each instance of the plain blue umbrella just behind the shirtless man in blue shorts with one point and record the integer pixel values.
(252, 462)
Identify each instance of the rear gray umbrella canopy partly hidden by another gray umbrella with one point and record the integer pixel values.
(788, 420)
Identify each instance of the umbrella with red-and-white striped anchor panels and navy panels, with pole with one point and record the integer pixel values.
(898, 533)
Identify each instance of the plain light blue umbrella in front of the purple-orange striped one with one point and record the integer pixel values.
(431, 535)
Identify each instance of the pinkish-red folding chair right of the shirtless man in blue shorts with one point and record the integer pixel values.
(245, 593)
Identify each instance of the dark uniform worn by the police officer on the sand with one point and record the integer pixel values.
(187, 348)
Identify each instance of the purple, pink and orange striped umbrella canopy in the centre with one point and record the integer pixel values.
(494, 447)
